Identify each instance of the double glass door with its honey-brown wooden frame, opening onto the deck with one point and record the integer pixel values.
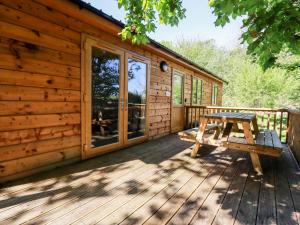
(115, 98)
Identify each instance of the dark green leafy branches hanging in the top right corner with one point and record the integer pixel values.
(270, 26)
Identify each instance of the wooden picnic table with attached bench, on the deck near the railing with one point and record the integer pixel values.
(255, 141)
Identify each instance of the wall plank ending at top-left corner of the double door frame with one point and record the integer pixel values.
(19, 18)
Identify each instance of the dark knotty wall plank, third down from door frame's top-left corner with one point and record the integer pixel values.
(25, 50)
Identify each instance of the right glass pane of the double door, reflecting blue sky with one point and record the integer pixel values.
(137, 80)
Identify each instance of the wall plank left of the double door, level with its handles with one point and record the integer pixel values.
(33, 108)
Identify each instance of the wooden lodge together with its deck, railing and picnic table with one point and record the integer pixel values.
(71, 90)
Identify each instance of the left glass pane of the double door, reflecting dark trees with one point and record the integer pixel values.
(105, 97)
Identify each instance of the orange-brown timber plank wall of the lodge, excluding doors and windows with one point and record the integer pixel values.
(40, 71)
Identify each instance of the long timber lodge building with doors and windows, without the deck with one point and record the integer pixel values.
(70, 89)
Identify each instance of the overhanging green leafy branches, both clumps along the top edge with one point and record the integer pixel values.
(269, 26)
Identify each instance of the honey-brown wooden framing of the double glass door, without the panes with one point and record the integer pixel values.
(87, 42)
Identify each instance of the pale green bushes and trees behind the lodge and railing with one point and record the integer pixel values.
(249, 85)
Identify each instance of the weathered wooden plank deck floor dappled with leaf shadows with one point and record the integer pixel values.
(159, 183)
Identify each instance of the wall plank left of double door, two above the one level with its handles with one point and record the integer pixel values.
(11, 77)
